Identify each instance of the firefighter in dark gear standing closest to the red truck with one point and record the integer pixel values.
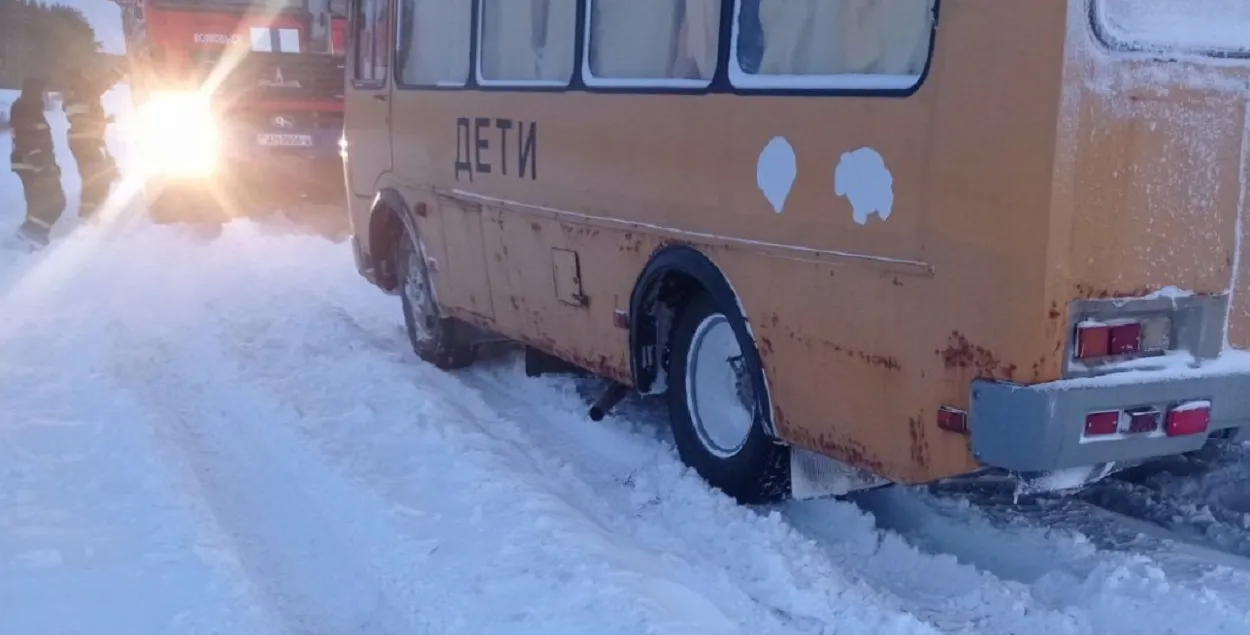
(87, 138)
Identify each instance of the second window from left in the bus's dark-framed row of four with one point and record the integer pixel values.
(528, 42)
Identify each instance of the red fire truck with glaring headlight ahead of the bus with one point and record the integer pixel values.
(239, 104)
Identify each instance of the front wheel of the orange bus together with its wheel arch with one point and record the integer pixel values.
(403, 269)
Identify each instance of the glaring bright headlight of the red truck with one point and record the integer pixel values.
(178, 136)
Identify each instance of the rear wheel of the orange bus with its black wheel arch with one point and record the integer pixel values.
(681, 298)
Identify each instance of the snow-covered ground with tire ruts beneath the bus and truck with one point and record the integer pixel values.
(232, 436)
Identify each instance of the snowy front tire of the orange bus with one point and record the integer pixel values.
(436, 339)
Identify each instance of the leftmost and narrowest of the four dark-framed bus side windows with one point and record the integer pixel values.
(434, 43)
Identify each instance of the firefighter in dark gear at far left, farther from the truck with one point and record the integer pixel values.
(36, 163)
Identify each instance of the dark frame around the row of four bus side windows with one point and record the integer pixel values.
(719, 84)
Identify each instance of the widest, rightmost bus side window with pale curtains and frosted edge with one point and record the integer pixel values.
(823, 44)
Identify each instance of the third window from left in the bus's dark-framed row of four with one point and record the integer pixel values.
(653, 42)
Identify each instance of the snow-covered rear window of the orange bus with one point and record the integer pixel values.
(1213, 28)
